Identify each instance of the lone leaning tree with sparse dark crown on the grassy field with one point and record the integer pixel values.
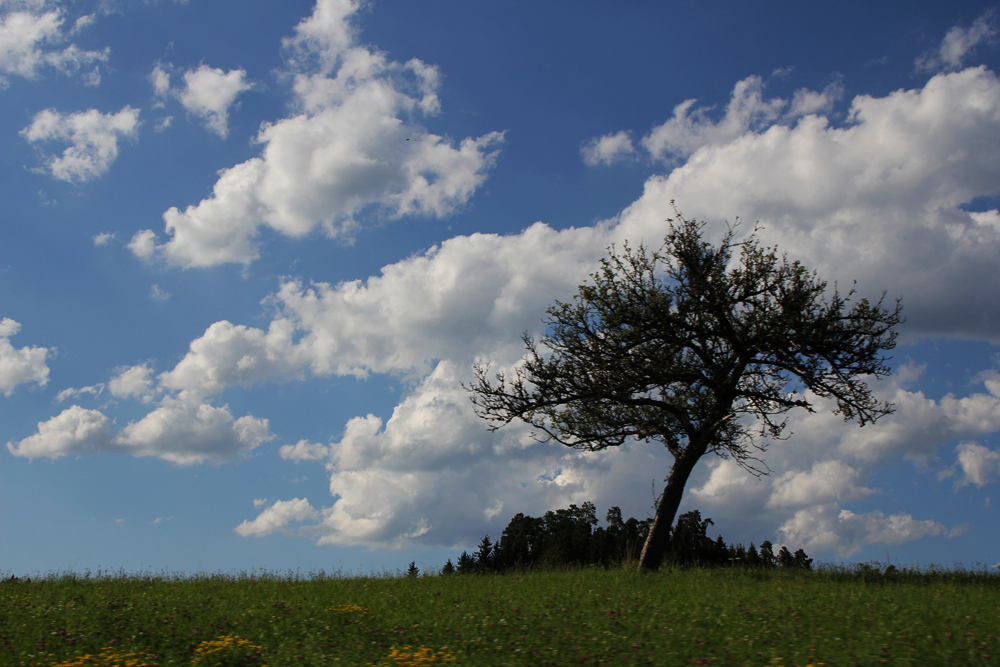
(684, 347)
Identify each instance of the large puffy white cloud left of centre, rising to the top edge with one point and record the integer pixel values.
(354, 148)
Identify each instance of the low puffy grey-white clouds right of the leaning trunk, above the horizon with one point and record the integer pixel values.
(826, 462)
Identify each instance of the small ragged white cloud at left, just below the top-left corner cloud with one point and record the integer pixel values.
(93, 139)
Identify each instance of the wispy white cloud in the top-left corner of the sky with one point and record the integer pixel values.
(31, 41)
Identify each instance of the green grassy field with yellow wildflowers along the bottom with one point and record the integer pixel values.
(672, 617)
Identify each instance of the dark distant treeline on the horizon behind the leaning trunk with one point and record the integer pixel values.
(571, 538)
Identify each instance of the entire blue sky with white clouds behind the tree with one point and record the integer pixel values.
(250, 251)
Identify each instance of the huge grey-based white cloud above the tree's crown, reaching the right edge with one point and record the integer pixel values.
(878, 200)
